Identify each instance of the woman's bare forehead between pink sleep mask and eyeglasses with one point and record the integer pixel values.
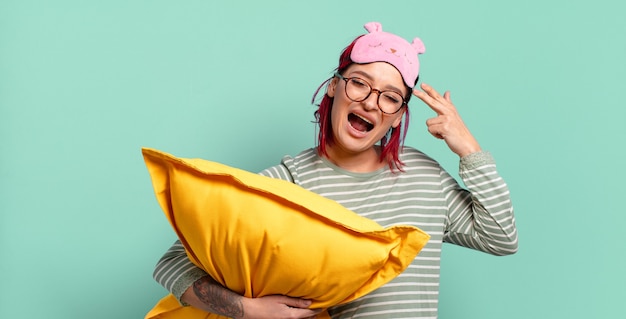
(380, 74)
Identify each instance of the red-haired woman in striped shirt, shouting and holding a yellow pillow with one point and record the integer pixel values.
(361, 163)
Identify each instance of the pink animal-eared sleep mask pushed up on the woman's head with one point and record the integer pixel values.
(379, 46)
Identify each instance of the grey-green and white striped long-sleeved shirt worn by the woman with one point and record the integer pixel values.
(423, 195)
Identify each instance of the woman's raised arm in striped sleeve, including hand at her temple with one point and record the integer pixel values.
(482, 216)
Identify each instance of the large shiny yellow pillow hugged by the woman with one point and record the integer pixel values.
(261, 236)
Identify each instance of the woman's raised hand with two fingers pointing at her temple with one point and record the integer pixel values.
(447, 125)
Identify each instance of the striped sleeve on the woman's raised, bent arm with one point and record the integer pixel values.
(480, 217)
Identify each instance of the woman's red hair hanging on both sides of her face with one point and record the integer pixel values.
(390, 143)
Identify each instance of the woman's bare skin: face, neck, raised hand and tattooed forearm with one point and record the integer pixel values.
(355, 151)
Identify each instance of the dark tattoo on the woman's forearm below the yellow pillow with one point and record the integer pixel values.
(220, 300)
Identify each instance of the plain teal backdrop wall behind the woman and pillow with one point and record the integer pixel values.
(85, 84)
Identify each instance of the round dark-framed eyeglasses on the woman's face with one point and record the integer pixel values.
(358, 90)
